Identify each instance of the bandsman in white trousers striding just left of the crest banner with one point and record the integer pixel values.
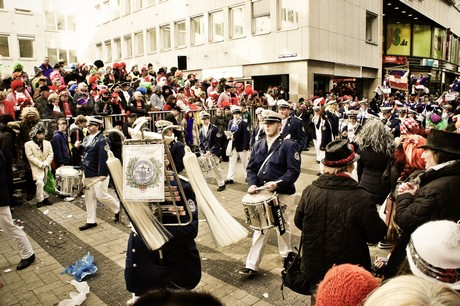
(96, 178)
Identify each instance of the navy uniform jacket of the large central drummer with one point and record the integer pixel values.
(283, 164)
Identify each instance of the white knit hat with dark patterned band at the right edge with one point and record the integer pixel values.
(434, 252)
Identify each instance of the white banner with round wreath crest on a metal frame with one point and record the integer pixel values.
(143, 172)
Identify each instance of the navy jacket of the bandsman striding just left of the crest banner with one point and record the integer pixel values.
(95, 156)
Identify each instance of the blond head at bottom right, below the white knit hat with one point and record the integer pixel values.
(412, 290)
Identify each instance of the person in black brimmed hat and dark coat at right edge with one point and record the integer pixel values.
(433, 196)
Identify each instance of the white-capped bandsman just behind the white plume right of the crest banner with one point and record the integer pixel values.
(210, 146)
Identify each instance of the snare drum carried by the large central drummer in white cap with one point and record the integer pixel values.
(258, 209)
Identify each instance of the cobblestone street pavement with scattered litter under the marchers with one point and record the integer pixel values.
(53, 232)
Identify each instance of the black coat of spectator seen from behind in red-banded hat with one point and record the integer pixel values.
(337, 217)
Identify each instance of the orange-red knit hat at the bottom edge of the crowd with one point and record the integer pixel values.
(344, 285)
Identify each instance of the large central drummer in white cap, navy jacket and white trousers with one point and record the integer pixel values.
(274, 165)
